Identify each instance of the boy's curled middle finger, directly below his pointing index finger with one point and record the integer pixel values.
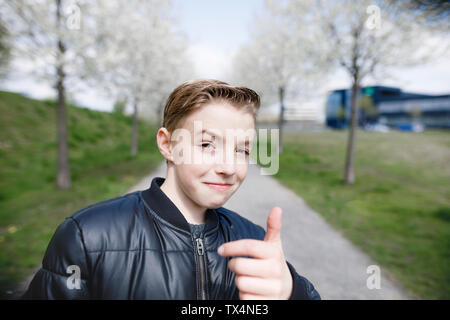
(255, 268)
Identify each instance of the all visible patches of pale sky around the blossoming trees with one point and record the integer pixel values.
(215, 30)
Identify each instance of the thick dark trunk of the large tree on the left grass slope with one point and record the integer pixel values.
(63, 180)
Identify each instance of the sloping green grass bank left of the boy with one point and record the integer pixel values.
(31, 207)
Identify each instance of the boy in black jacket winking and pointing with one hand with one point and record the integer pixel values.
(175, 240)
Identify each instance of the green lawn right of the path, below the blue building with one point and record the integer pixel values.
(398, 210)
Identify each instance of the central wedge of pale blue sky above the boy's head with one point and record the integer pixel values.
(215, 29)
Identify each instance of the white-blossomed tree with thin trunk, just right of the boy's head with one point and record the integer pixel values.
(280, 61)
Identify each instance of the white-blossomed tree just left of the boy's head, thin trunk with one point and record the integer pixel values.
(138, 53)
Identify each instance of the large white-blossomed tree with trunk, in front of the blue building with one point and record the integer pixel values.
(365, 38)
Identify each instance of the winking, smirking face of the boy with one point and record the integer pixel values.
(218, 137)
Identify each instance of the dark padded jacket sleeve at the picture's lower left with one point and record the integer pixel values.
(64, 271)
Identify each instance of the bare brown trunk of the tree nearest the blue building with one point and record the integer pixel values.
(349, 177)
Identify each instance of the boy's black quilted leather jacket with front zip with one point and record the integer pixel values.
(139, 246)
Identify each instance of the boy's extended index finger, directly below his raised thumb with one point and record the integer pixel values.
(247, 247)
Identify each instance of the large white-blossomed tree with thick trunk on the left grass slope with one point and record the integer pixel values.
(44, 32)
